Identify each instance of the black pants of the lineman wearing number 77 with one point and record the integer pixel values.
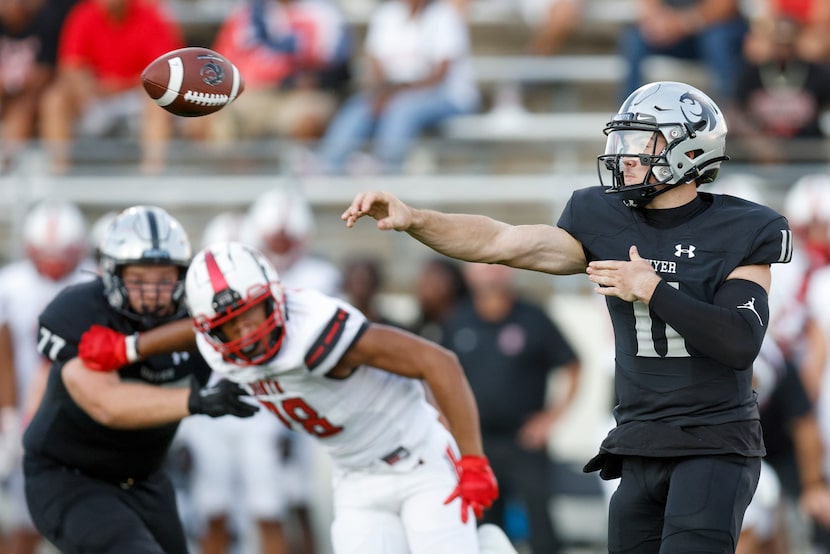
(82, 515)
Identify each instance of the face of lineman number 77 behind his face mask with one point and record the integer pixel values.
(150, 288)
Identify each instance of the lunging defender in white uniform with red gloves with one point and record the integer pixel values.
(315, 362)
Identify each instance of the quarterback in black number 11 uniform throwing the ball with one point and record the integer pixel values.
(686, 275)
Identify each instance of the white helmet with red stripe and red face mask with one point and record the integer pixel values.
(225, 280)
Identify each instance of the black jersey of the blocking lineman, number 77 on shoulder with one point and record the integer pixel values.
(61, 432)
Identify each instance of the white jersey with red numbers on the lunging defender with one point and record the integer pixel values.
(371, 418)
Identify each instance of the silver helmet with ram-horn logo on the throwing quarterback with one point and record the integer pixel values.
(694, 130)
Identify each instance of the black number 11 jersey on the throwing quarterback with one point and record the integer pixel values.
(672, 399)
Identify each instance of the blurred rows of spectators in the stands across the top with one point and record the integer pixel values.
(354, 97)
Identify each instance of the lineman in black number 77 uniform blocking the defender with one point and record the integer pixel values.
(95, 447)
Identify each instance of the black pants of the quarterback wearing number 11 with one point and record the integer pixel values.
(681, 505)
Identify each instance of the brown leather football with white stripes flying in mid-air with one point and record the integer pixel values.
(192, 81)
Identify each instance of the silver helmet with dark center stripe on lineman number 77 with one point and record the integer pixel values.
(143, 235)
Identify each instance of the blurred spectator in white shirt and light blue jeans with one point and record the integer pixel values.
(419, 74)
